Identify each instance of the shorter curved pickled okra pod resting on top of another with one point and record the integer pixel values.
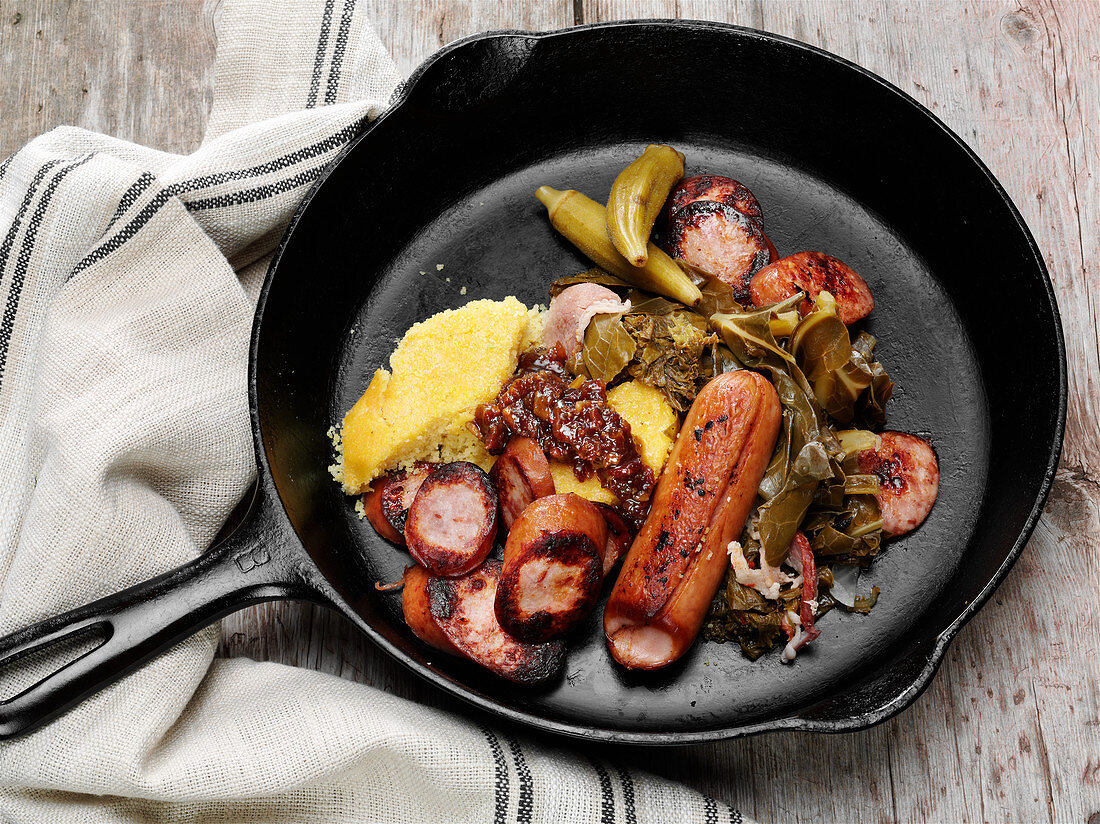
(637, 197)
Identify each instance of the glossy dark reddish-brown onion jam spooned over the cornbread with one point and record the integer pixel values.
(573, 422)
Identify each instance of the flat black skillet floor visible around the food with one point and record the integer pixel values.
(498, 241)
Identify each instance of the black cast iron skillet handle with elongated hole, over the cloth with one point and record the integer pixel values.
(258, 563)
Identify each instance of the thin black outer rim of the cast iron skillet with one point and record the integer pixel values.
(795, 722)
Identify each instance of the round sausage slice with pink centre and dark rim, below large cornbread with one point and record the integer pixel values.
(453, 521)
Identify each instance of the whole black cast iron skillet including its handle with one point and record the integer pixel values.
(842, 162)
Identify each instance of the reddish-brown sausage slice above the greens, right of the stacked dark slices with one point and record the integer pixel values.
(813, 273)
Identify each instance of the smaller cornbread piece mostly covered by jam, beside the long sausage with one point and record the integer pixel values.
(653, 422)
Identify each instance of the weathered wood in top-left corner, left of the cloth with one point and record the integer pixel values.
(136, 70)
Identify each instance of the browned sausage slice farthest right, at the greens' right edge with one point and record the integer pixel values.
(909, 479)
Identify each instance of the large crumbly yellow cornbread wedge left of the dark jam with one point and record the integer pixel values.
(443, 370)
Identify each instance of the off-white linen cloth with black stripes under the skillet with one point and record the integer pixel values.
(128, 280)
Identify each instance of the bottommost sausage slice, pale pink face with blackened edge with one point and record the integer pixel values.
(456, 616)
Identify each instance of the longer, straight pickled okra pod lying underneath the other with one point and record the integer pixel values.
(585, 224)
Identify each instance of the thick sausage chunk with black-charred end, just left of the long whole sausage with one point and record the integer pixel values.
(554, 567)
